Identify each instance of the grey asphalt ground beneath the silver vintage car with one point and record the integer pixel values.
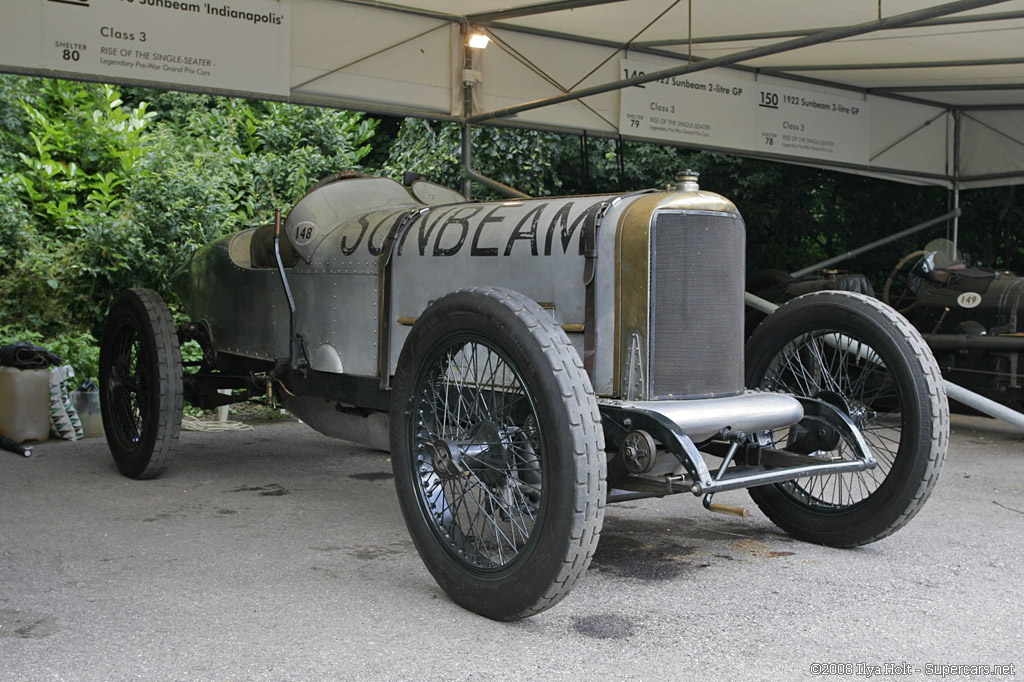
(281, 555)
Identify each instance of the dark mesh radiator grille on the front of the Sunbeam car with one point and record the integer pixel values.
(697, 317)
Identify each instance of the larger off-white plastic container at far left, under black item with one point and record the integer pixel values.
(25, 404)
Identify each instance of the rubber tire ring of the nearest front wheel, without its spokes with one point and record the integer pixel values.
(571, 538)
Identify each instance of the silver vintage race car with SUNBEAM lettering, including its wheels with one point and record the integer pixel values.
(528, 362)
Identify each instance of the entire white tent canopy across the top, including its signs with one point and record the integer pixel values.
(901, 89)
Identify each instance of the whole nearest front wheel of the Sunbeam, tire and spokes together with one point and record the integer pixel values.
(498, 453)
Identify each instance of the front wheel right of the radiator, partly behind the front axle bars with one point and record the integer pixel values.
(883, 376)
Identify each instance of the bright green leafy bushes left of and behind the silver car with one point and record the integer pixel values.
(101, 192)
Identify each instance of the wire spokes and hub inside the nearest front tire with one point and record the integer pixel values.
(479, 454)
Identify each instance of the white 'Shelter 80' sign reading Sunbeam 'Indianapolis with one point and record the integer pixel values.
(243, 47)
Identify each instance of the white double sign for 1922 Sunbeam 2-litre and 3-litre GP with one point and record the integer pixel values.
(715, 109)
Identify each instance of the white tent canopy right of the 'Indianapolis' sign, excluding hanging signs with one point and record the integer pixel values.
(956, 71)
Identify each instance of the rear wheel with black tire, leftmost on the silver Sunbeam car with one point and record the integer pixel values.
(141, 383)
